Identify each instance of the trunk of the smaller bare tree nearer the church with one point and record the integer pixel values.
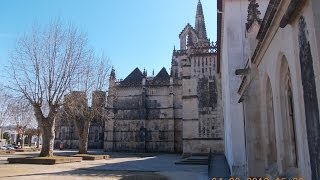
(83, 137)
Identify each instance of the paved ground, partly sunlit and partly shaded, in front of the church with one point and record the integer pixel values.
(119, 166)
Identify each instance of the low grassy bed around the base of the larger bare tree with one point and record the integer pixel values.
(44, 160)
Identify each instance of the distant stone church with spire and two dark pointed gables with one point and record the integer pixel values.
(176, 112)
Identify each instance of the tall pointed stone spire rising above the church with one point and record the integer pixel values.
(200, 25)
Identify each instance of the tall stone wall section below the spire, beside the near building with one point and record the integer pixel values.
(201, 103)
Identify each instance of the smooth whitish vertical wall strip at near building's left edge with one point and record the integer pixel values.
(233, 31)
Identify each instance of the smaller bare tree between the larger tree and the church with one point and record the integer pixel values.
(92, 80)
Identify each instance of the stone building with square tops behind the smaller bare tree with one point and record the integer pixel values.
(65, 130)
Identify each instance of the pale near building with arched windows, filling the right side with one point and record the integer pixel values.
(270, 71)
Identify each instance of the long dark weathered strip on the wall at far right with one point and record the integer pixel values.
(310, 99)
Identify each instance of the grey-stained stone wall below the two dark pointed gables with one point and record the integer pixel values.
(143, 122)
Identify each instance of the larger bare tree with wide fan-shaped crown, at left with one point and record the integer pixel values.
(43, 65)
